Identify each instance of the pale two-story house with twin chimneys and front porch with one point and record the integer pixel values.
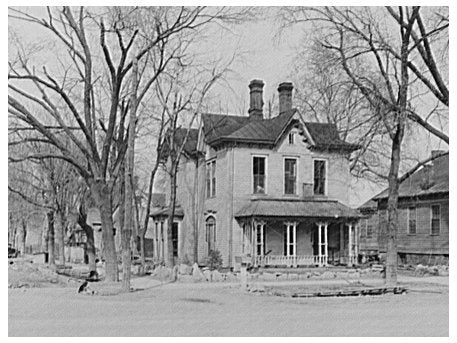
(275, 190)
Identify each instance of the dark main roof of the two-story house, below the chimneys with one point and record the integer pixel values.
(218, 128)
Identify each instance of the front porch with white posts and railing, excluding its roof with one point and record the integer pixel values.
(300, 242)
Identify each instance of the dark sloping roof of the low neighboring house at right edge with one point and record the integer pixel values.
(429, 180)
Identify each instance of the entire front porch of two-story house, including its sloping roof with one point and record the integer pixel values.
(298, 232)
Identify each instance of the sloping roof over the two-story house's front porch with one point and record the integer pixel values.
(315, 208)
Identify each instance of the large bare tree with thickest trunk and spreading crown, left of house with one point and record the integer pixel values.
(101, 47)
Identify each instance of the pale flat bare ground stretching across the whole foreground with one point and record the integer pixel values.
(218, 309)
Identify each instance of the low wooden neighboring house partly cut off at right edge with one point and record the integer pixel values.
(423, 216)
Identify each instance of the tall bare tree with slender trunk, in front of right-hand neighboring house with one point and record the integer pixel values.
(394, 82)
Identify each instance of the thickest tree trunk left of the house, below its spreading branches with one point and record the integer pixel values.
(101, 194)
